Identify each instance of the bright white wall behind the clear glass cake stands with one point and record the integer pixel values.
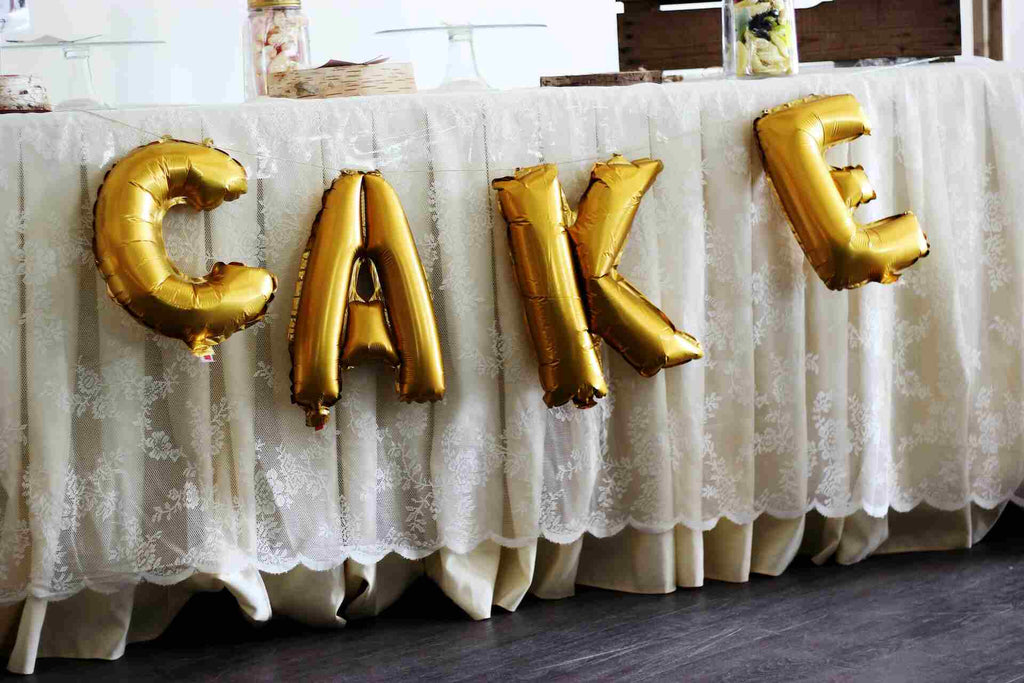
(202, 61)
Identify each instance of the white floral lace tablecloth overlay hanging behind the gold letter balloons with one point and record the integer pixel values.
(123, 458)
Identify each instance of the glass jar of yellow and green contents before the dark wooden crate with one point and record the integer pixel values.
(760, 38)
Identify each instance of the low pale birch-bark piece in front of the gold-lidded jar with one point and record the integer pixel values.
(344, 81)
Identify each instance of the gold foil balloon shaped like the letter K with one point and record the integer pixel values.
(544, 233)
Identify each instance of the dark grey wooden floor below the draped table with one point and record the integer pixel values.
(931, 617)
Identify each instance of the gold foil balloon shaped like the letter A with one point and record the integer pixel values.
(362, 226)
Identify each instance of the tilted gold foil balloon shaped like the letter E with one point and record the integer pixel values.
(820, 200)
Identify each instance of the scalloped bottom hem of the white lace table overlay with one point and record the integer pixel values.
(368, 557)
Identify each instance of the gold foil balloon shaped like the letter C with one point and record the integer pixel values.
(130, 245)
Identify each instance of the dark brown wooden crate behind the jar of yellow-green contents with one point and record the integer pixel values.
(838, 31)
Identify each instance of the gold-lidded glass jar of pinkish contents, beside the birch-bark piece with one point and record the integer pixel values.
(277, 39)
